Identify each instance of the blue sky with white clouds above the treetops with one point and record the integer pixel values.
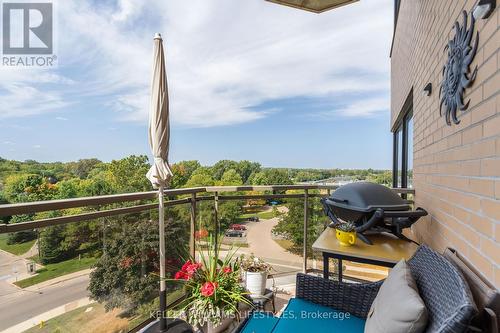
(247, 80)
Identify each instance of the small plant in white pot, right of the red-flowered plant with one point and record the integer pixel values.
(255, 272)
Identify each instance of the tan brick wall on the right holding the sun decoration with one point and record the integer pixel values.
(456, 168)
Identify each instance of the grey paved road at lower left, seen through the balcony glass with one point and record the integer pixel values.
(21, 305)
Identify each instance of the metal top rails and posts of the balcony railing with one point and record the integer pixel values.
(105, 206)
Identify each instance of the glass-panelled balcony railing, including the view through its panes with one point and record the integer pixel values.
(91, 264)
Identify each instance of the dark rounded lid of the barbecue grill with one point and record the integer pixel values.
(367, 197)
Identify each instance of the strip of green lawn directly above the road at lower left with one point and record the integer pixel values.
(51, 271)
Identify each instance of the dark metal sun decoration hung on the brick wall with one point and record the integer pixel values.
(456, 72)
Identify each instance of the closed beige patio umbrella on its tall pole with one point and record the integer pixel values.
(159, 137)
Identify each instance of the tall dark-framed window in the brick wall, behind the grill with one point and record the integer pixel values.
(402, 167)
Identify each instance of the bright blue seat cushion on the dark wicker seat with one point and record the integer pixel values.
(304, 316)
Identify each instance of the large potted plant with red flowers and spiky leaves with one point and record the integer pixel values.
(212, 290)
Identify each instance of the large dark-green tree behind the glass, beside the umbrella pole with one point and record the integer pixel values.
(126, 276)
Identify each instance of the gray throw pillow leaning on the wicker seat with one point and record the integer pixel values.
(397, 308)
